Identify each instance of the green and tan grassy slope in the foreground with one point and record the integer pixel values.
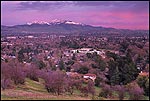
(36, 91)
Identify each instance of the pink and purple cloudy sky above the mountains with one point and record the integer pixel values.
(121, 14)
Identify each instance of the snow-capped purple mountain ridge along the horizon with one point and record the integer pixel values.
(63, 27)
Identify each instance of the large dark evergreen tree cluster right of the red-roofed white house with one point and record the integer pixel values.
(122, 69)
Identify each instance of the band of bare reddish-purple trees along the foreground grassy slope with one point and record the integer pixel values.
(57, 82)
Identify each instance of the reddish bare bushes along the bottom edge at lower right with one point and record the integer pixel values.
(134, 90)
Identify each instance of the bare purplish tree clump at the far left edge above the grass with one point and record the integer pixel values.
(12, 73)
